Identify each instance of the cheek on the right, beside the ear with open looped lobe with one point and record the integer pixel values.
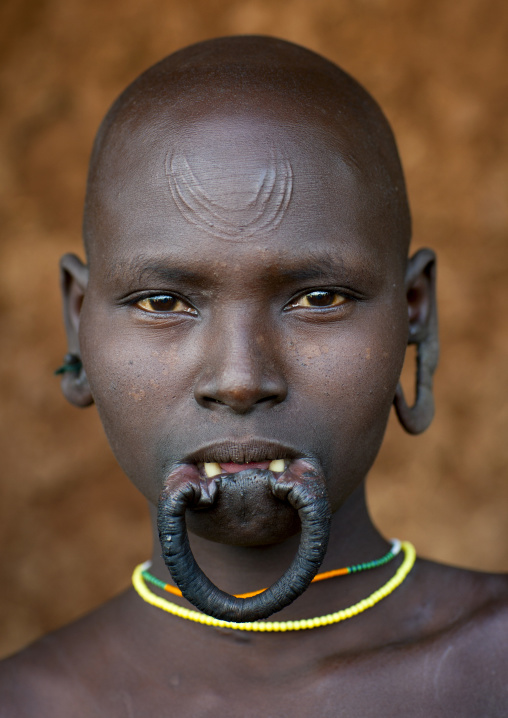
(348, 381)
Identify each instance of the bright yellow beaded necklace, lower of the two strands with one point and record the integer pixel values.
(271, 626)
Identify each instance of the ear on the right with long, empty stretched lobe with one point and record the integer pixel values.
(422, 313)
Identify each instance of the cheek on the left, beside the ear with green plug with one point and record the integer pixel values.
(138, 388)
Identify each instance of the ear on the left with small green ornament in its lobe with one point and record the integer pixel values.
(73, 283)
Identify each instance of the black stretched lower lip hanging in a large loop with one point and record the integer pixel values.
(305, 491)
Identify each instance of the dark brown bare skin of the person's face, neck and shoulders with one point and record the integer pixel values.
(288, 340)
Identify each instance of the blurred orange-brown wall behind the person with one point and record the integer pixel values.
(71, 526)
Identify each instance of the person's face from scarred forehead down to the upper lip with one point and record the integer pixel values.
(245, 302)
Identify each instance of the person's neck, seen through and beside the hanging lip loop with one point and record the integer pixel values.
(353, 539)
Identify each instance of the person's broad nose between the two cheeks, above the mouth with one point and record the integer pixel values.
(241, 370)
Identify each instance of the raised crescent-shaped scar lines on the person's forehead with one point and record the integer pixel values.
(252, 199)
